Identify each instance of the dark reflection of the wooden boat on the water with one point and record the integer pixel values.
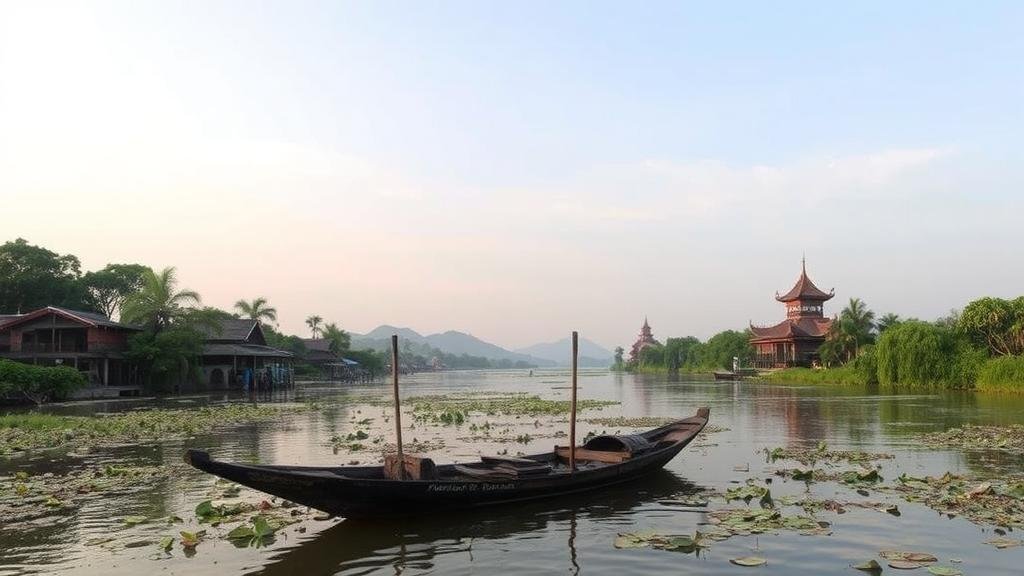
(371, 547)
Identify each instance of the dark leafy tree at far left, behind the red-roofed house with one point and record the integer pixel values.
(32, 277)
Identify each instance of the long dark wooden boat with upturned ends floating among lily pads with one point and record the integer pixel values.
(422, 488)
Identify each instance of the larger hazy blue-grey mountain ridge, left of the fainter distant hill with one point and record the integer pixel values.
(451, 343)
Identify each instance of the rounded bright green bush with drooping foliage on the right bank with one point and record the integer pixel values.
(918, 355)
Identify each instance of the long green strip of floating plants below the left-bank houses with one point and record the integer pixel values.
(20, 433)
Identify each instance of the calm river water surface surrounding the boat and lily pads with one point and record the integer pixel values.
(573, 537)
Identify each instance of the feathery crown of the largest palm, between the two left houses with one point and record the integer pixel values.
(159, 304)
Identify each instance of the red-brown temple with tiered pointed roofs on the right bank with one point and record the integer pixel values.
(795, 342)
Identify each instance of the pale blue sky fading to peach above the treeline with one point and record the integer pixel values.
(519, 171)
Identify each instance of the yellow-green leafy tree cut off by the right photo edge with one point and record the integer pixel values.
(995, 323)
